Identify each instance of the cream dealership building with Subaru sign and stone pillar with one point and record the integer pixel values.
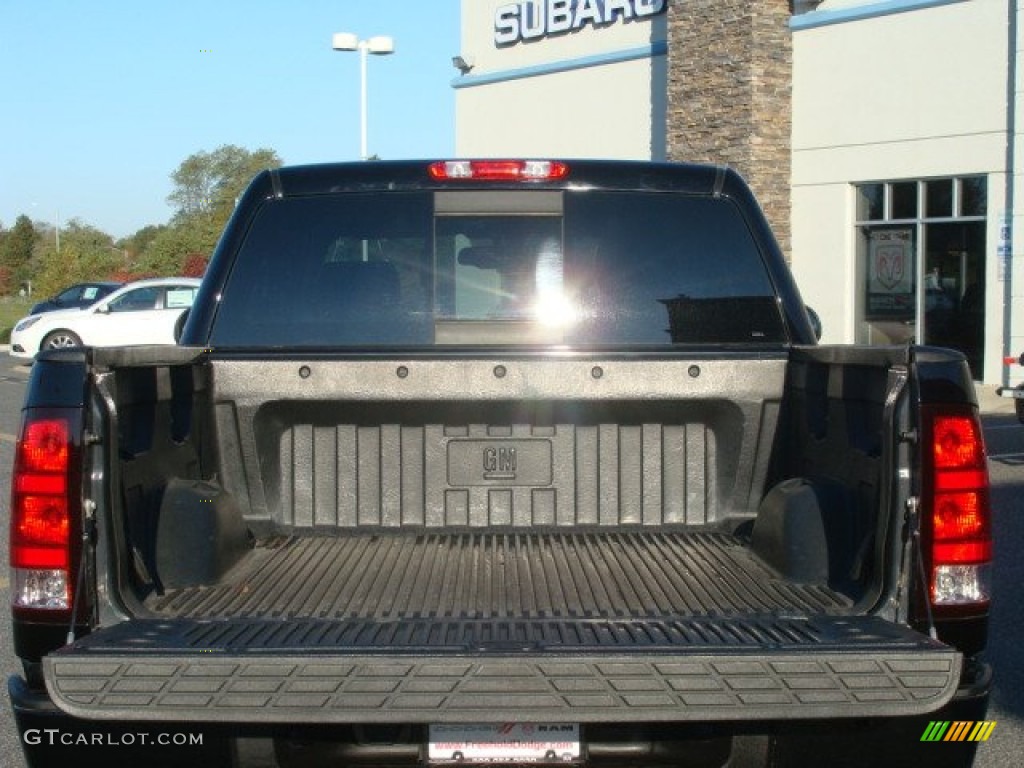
(881, 138)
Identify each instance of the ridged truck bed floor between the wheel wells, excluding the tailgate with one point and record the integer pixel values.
(517, 576)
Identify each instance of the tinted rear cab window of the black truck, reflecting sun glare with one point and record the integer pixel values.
(503, 267)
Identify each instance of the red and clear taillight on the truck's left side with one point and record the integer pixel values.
(40, 520)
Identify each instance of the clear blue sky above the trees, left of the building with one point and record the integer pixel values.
(103, 100)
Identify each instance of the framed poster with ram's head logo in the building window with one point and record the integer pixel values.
(890, 275)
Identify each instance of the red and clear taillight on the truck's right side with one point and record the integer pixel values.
(957, 505)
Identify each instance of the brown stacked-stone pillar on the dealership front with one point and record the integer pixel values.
(731, 84)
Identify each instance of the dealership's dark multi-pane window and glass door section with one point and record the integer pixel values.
(921, 251)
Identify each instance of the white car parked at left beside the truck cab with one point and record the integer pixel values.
(141, 313)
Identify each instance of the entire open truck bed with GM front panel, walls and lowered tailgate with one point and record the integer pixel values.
(397, 580)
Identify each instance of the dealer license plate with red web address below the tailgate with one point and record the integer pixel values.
(504, 743)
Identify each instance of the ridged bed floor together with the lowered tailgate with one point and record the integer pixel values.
(577, 627)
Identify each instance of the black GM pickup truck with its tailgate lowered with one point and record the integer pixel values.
(499, 462)
